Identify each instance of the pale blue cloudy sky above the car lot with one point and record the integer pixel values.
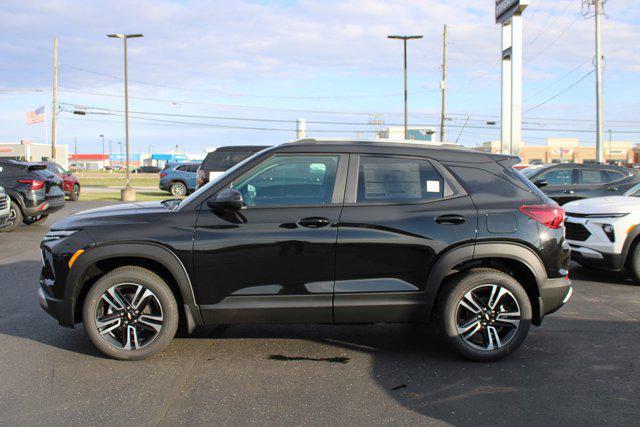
(213, 73)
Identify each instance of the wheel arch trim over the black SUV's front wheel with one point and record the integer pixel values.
(100, 259)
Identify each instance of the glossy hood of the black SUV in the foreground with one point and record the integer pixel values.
(141, 212)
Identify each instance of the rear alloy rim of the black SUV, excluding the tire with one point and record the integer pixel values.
(488, 317)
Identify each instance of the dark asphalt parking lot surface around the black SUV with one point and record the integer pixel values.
(580, 367)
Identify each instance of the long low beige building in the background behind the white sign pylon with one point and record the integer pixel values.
(569, 150)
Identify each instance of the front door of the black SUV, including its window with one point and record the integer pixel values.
(273, 261)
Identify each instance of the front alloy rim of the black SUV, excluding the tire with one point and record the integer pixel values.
(128, 316)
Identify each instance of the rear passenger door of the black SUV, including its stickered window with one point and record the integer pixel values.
(400, 213)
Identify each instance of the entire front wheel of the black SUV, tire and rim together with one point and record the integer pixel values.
(130, 313)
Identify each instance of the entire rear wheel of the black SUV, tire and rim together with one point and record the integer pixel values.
(485, 314)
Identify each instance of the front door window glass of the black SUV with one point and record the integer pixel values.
(290, 181)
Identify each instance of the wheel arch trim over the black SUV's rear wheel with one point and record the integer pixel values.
(511, 258)
